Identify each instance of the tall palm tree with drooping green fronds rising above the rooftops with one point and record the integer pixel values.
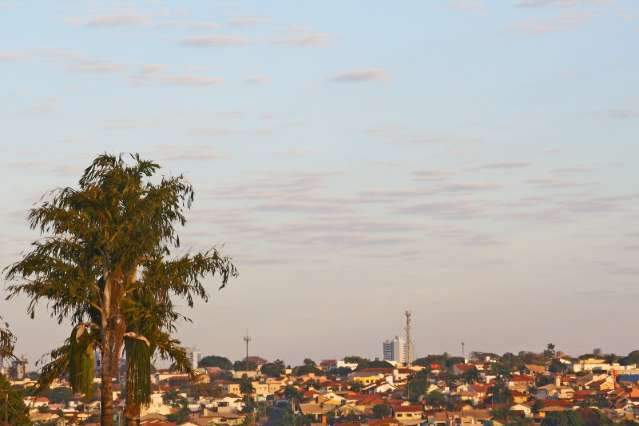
(105, 240)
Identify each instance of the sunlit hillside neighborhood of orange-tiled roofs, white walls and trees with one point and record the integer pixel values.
(527, 388)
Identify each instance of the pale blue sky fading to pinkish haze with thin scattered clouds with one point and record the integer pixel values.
(472, 161)
